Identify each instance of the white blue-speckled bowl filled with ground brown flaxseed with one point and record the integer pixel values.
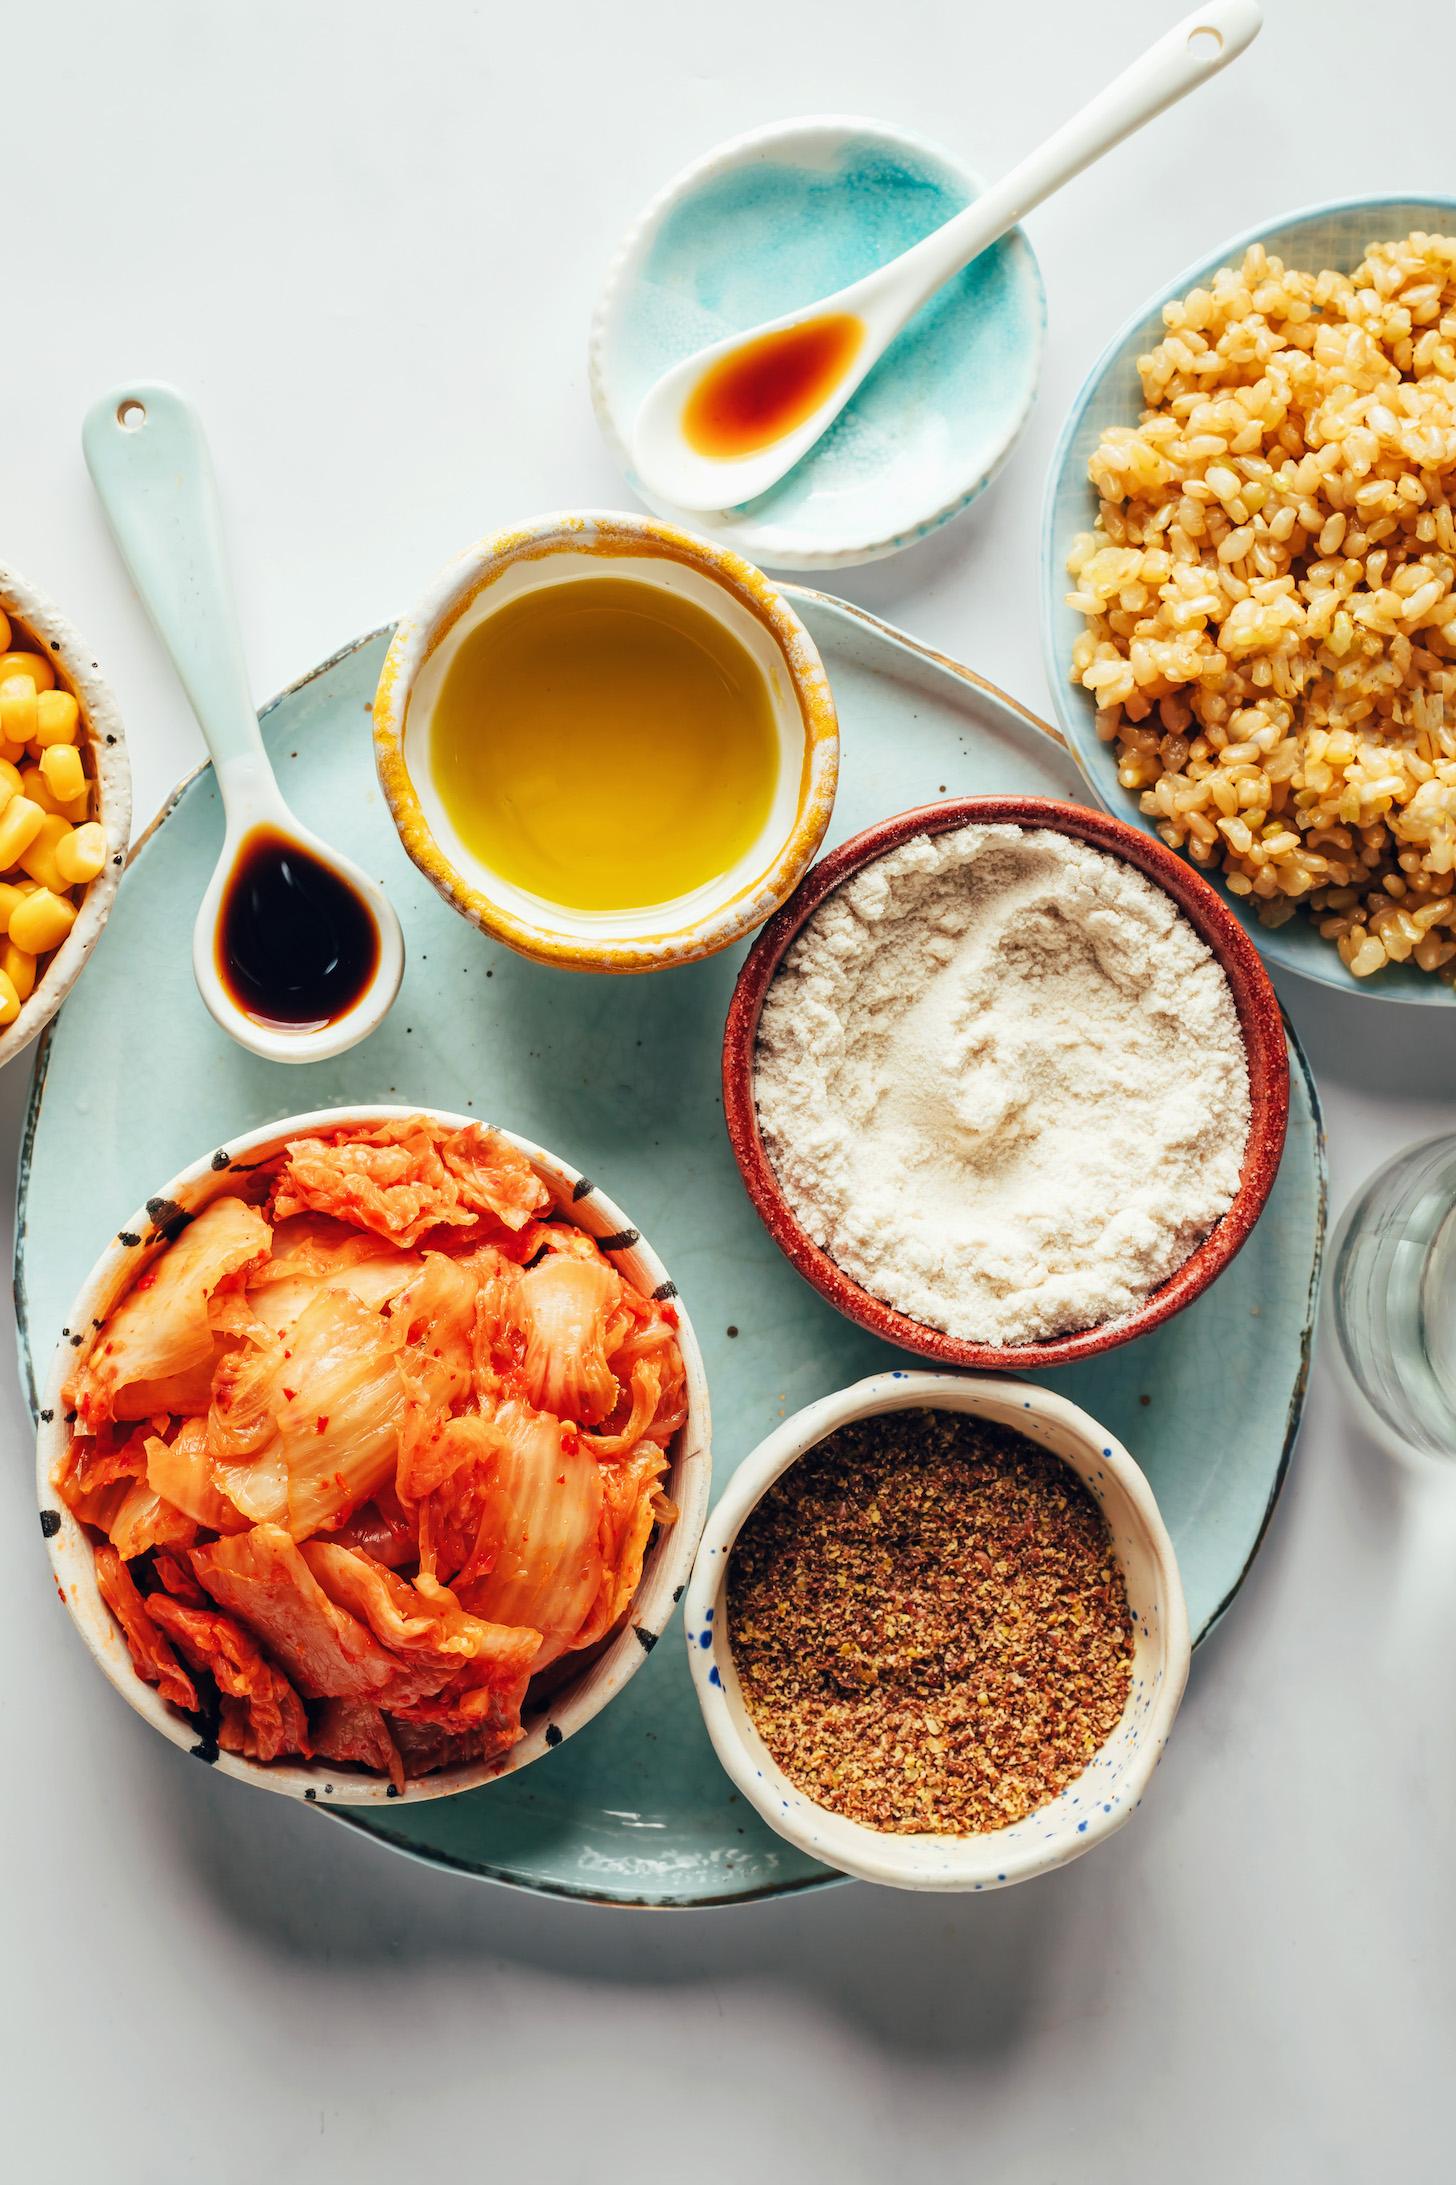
(939, 1631)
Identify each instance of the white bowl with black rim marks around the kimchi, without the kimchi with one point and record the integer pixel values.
(574, 1701)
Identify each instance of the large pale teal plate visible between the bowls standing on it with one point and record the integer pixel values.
(622, 1078)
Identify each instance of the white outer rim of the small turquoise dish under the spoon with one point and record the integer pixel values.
(766, 539)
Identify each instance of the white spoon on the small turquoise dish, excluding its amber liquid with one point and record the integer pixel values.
(677, 471)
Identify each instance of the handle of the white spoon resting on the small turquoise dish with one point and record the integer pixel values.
(1175, 64)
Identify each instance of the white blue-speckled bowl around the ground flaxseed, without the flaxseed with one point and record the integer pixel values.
(1105, 1795)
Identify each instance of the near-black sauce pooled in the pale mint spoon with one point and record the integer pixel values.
(296, 945)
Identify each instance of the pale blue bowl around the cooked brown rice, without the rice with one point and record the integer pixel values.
(1112, 394)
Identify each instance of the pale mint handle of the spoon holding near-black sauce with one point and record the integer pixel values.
(150, 464)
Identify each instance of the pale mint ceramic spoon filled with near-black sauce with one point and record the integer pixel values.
(150, 462)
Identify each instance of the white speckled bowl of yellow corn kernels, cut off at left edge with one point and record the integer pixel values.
(64, 810)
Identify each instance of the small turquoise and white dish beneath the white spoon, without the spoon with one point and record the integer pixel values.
(775, 220)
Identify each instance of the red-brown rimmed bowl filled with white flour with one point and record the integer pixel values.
(1007, 1080)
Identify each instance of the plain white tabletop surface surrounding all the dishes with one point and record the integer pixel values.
(366, 237)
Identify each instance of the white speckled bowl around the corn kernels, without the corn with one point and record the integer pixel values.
(102, 735)
